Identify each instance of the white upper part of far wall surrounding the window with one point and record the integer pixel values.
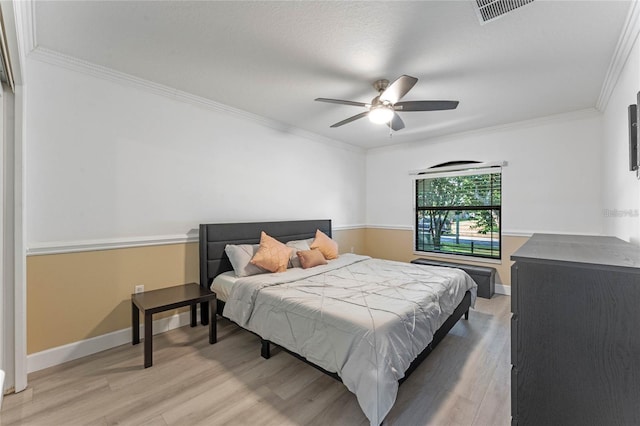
(551, 183)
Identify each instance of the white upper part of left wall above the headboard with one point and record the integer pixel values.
(108, 161)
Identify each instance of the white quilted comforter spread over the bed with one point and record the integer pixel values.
(364, 319)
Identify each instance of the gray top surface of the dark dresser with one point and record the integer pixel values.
(580, 250)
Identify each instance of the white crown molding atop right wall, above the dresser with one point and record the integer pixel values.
(621, 54)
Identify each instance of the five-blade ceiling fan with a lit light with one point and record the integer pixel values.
(383, 108)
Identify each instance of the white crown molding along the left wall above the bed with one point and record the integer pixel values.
(53, 57)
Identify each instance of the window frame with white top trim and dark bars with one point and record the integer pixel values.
(461, 170)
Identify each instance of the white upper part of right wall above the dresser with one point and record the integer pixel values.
(621, 188)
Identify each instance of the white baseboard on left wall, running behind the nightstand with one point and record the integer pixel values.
(61, 354)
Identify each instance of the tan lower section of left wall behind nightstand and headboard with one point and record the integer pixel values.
(76, 296)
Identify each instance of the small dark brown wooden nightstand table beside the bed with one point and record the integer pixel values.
(164, 299)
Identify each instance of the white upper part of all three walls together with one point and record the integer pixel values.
(109, 161)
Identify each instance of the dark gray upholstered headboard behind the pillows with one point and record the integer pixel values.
(214, 237)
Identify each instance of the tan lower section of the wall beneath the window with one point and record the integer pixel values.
(396, 244)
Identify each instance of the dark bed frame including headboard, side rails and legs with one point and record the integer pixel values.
(214, 261)
